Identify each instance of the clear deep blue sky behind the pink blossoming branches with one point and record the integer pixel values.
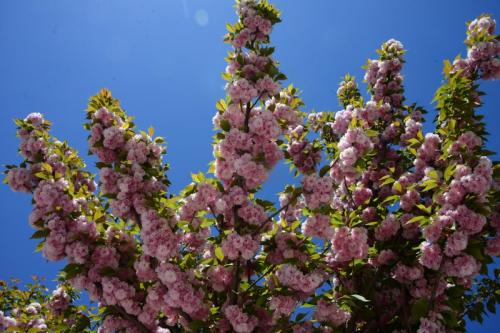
(163, 60)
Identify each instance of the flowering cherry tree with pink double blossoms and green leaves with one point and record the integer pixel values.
(388, 230)
